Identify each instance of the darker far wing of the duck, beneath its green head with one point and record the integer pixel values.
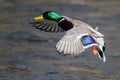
(47, 26)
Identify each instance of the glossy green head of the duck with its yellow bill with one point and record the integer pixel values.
(49, 15)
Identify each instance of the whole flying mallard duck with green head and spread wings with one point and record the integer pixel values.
(79, 35)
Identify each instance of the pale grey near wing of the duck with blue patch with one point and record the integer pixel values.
(75, 42)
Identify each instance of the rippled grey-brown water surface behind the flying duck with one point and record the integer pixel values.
(29, 54)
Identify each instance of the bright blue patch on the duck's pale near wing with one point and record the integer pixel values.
(87, 39)
